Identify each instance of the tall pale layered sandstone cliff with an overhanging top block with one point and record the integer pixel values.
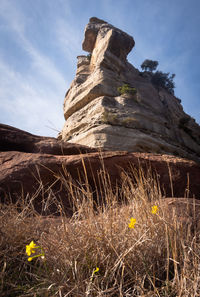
(97, 115)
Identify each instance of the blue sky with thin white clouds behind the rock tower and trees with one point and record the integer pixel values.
(40, 40)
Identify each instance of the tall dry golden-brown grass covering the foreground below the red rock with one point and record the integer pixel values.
(160, 256)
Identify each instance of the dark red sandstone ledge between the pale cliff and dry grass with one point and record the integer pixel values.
(31, 167)
